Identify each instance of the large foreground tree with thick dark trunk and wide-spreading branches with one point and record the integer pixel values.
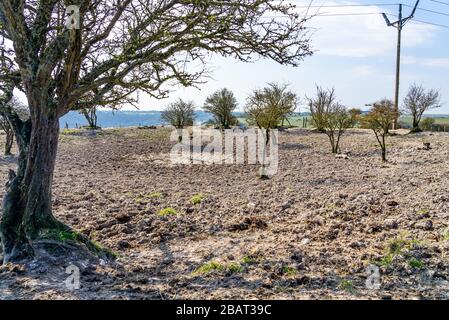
(104, 53)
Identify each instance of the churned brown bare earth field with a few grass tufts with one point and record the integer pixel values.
(308, 233)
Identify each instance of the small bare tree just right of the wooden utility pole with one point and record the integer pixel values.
(418, 101)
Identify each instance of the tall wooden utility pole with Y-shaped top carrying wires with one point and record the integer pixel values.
(399, 25)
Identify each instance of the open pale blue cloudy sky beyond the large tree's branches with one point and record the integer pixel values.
(355, 54)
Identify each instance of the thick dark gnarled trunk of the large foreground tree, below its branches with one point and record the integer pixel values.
(27, 209)
